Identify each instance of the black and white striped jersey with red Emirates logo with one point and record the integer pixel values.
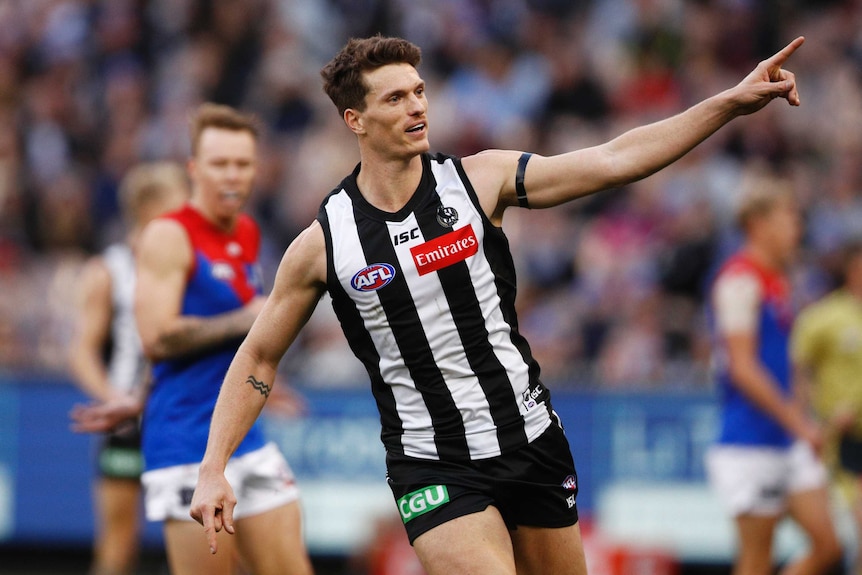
(426, 298)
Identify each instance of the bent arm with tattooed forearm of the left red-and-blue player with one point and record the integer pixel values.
(164, 260)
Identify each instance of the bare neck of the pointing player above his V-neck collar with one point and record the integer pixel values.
(389, 184)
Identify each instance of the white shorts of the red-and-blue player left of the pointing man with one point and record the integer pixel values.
(261, 480)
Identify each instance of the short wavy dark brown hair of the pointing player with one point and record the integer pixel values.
(342, 76)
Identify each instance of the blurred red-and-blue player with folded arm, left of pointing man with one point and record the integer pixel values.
(199, 291)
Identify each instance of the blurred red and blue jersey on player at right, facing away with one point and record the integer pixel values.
(743, 423)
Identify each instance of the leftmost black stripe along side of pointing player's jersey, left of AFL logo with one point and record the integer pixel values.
(363, 348)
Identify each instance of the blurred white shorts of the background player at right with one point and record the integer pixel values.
(757, 480)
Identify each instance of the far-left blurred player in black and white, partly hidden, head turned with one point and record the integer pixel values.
(107, 362)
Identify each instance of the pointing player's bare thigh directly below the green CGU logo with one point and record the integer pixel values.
(477, 543)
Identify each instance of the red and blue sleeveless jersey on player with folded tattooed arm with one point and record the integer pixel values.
(223, 277)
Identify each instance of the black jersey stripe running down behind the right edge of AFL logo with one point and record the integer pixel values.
(403, 318)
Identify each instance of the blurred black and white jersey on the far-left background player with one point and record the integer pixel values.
(127, 366)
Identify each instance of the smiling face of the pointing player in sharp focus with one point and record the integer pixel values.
(395, 118)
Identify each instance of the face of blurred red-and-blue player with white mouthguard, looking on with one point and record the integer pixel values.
(223, 170)
